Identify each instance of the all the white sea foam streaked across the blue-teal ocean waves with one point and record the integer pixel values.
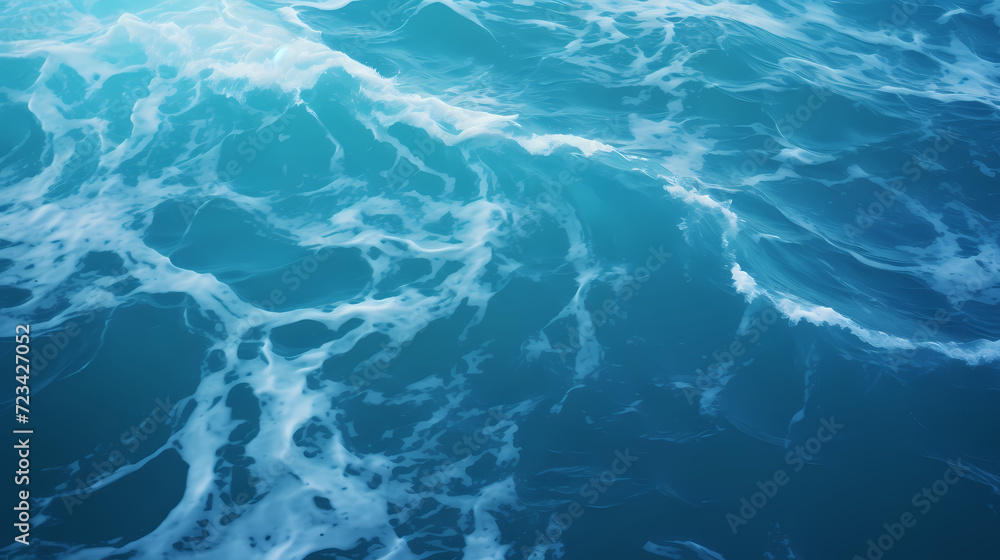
(237, 49)
